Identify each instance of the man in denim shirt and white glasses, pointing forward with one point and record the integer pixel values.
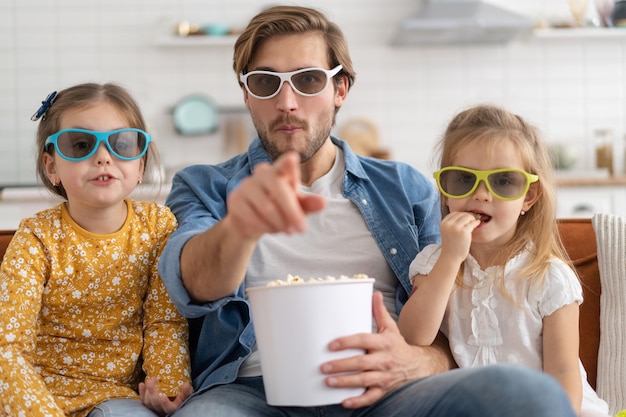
(301, 202)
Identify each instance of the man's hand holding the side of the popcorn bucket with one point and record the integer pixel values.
(389, 362)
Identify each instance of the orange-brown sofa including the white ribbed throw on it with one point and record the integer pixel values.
(603, 357)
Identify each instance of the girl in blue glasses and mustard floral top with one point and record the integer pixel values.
(84, 312)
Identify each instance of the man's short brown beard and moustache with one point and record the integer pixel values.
(315, 136)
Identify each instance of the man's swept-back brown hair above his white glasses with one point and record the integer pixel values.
(283, 20)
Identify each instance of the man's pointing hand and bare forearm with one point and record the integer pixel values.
(268, 201)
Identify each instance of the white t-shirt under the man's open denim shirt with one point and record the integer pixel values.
(341, 228)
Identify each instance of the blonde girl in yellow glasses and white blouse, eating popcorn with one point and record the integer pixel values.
(499, 284)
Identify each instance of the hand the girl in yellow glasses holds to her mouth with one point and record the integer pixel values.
(456, 234)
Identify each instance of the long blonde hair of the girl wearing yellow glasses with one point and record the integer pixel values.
(487, 126)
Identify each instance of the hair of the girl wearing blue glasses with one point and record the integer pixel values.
(84, 96)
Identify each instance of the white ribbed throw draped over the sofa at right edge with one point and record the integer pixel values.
(611, 241)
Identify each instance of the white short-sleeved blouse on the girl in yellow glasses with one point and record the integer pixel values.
(485, 327)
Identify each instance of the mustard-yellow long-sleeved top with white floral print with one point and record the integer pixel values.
(83, 316)
